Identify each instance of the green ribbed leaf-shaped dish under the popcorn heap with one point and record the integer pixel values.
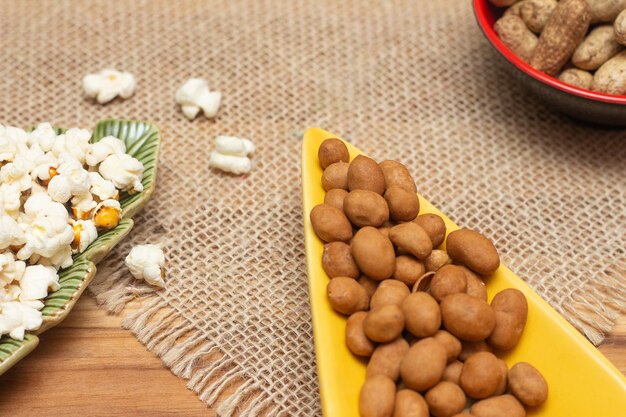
(142, 141)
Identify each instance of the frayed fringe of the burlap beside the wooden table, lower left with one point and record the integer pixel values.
(165, 335)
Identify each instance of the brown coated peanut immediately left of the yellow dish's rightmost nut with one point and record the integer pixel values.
(481, 375)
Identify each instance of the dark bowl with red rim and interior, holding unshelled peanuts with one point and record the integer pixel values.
(573, 101)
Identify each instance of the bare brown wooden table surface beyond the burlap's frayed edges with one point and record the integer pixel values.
(89, 366)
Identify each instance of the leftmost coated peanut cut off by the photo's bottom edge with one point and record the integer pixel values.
(377, 397)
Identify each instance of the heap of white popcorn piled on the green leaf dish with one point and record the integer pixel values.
(40, 173)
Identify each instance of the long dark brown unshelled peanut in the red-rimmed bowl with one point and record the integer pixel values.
(563, 32)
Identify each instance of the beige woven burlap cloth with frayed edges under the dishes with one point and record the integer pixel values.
(407, 80)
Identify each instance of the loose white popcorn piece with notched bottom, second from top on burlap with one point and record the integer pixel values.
(195, 95)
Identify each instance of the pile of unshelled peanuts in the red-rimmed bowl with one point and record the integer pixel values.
(580, 41)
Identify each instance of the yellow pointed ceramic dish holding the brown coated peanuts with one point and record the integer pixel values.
(582, 382)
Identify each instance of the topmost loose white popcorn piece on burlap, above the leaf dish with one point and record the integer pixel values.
(107, 84)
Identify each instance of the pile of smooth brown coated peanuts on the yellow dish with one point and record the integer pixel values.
(419, 313)
